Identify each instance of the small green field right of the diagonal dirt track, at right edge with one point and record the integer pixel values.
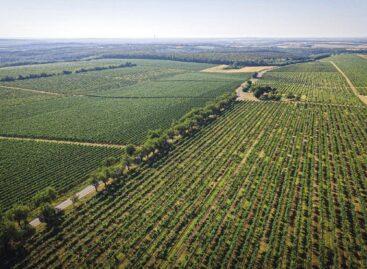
(355, 67)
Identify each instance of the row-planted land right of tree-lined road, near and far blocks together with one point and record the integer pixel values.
(268, 184)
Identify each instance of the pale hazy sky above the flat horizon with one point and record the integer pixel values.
(184, 18)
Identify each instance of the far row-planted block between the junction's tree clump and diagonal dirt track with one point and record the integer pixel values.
(313, 82)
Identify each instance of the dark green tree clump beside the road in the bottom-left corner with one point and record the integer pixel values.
(14, 223)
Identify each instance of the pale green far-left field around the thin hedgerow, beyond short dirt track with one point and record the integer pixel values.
(99, 81)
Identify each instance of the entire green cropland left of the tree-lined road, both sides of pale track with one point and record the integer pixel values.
(60, 128)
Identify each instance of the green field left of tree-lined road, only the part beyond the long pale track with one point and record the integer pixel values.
(113, 106)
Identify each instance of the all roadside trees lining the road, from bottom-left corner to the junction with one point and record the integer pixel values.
(114, 171)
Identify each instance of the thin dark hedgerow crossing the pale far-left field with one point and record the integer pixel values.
(65, 72)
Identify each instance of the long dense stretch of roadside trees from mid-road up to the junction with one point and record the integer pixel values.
(158, 143)
